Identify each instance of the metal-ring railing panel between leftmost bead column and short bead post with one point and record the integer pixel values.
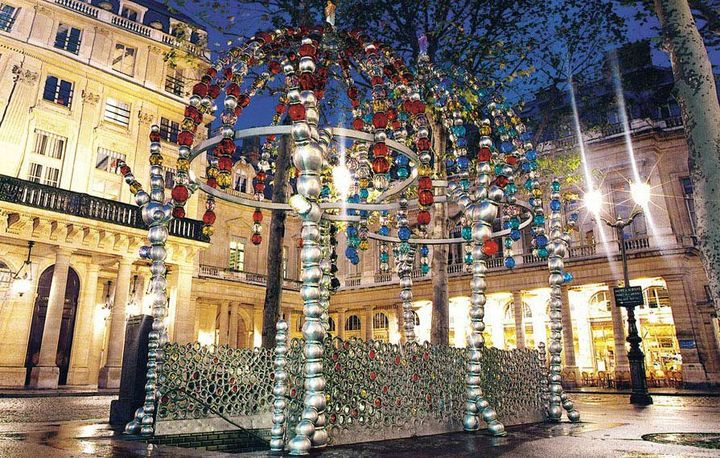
(233, 382)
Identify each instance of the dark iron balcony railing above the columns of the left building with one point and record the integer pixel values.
(31, 194)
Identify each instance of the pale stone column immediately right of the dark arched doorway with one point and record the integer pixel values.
(82, 337)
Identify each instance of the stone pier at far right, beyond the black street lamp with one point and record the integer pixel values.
(686, 325)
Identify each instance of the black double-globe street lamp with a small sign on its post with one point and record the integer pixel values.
(628, 297)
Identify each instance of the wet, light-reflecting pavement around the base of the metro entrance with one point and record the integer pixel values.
(77, 427)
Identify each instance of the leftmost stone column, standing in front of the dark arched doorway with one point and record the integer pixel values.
(46, 373)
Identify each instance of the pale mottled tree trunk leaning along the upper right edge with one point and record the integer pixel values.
(697, 95)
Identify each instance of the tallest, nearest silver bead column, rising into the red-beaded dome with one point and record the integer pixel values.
(308, 158)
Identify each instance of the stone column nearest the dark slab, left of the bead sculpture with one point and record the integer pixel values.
(110, 374)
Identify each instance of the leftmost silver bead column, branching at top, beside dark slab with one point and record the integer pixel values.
(156, 213)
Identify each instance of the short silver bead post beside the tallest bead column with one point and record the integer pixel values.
(280, 402)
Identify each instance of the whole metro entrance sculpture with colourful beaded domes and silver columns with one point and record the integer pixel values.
(385, 173)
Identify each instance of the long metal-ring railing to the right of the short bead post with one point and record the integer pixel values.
(385, 390)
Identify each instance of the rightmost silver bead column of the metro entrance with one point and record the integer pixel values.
(557, 250)
